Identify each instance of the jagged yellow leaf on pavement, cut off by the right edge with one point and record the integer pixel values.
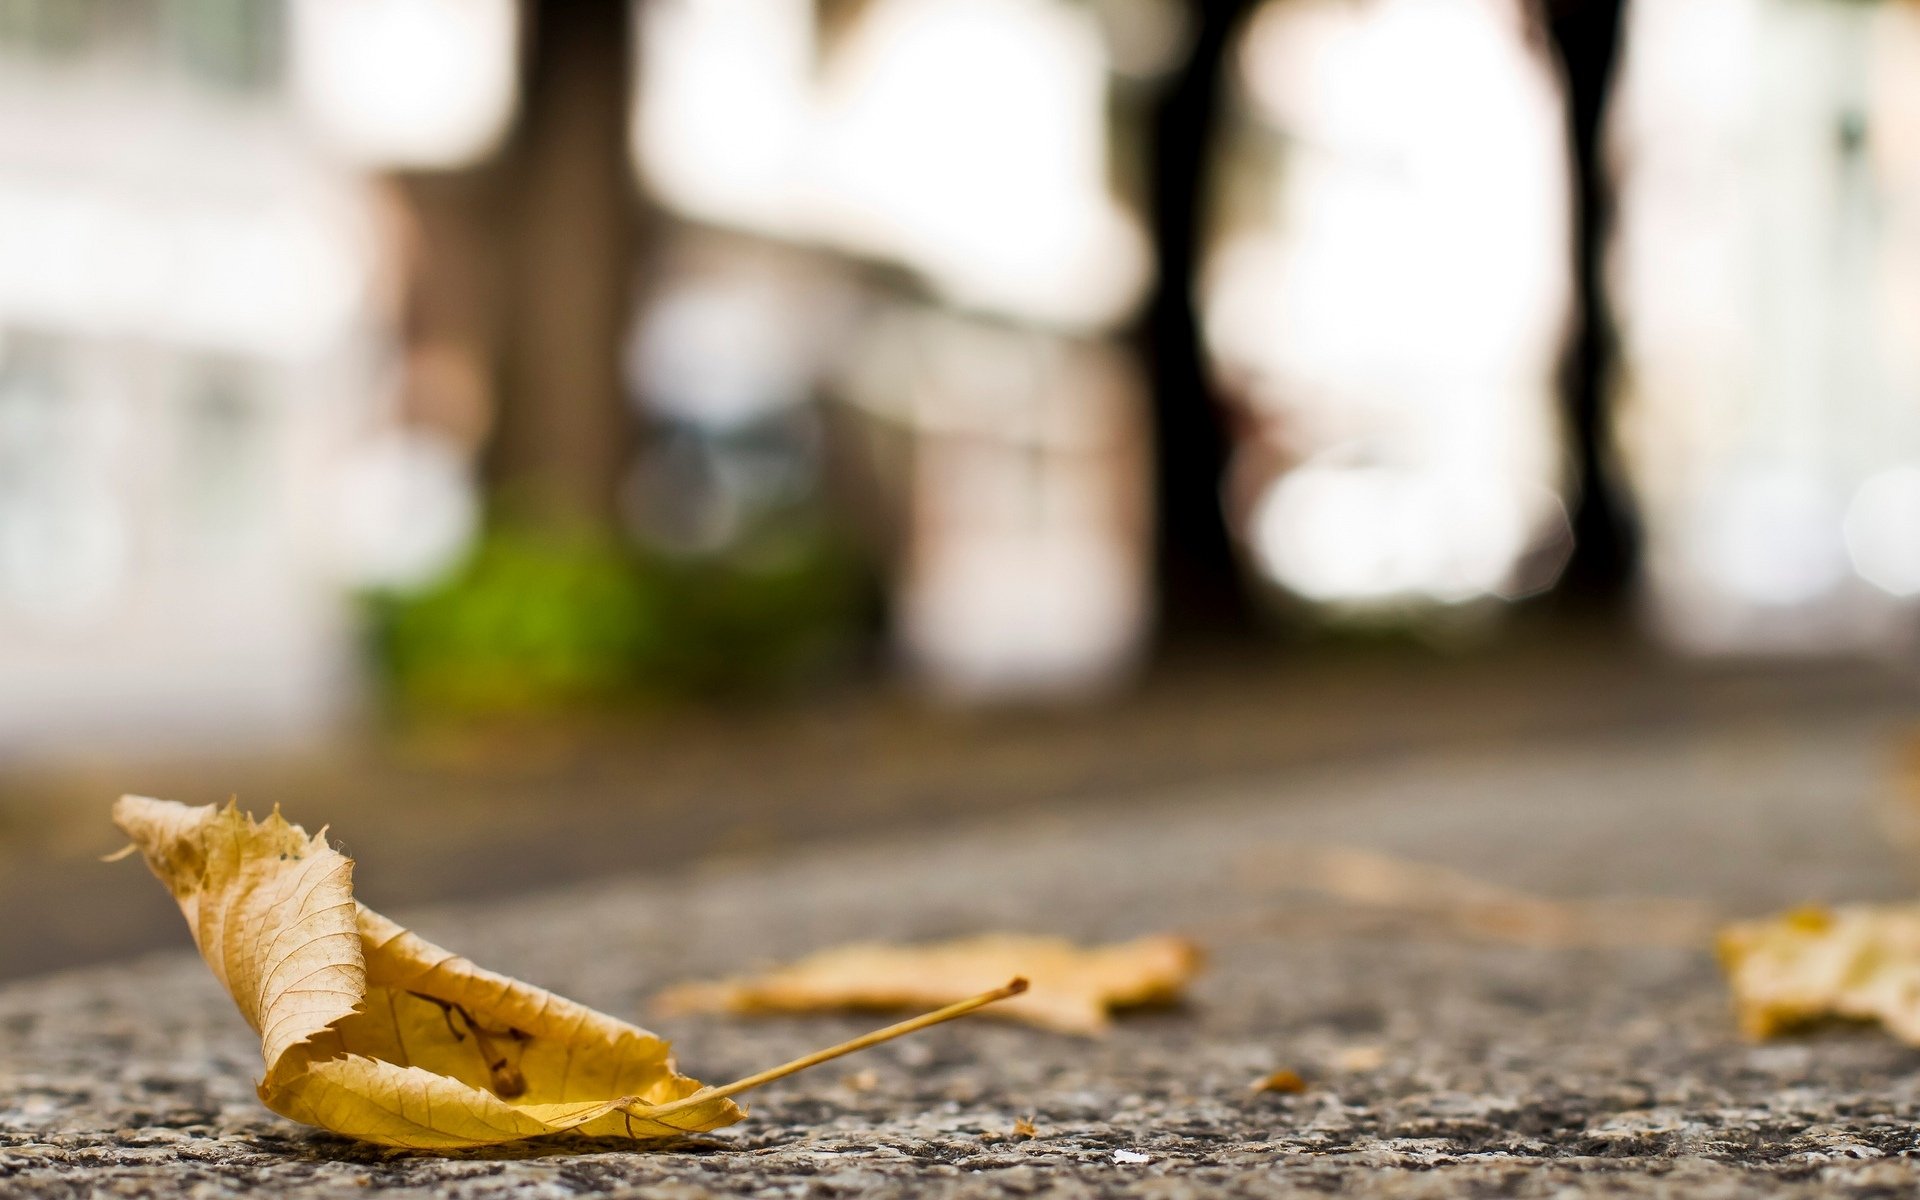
(1858, 963)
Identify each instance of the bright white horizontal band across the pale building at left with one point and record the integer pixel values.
(279, 279)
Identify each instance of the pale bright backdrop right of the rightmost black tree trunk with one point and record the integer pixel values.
(1764, 270)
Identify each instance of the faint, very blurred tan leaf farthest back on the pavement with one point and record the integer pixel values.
(1433, 896)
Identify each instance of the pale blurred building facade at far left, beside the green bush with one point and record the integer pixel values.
(189, 339)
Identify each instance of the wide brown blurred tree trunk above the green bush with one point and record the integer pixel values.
(569, 222)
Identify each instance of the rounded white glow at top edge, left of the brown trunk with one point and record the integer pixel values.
(408, 84)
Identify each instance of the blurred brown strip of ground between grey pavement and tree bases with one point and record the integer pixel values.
(441, 815)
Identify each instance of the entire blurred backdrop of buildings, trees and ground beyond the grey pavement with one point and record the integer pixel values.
(565, 439)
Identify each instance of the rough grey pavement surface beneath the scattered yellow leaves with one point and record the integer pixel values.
(1437, 1067)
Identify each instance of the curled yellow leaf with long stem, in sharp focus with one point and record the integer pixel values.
(375, 1034)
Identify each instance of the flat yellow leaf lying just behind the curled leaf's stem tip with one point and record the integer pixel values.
(1074, 988)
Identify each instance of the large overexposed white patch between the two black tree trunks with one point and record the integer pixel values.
(1422, 222)
